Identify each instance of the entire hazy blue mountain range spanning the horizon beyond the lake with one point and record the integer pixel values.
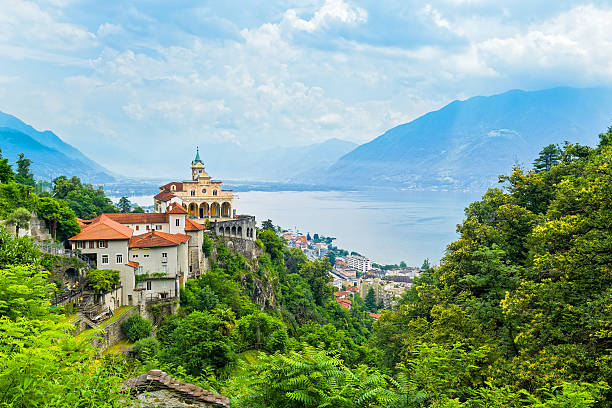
(463, 146)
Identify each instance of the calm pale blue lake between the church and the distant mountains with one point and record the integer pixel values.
(387, 227)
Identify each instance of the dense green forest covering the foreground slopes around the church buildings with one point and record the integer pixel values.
(518, 314)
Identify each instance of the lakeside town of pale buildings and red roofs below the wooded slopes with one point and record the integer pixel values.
(354, 274)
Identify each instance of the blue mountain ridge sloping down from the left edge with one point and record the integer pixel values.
(50, 155)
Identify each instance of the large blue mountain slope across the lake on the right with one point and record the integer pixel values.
(467, 144)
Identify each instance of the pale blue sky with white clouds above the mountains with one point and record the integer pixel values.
(137, 84)
